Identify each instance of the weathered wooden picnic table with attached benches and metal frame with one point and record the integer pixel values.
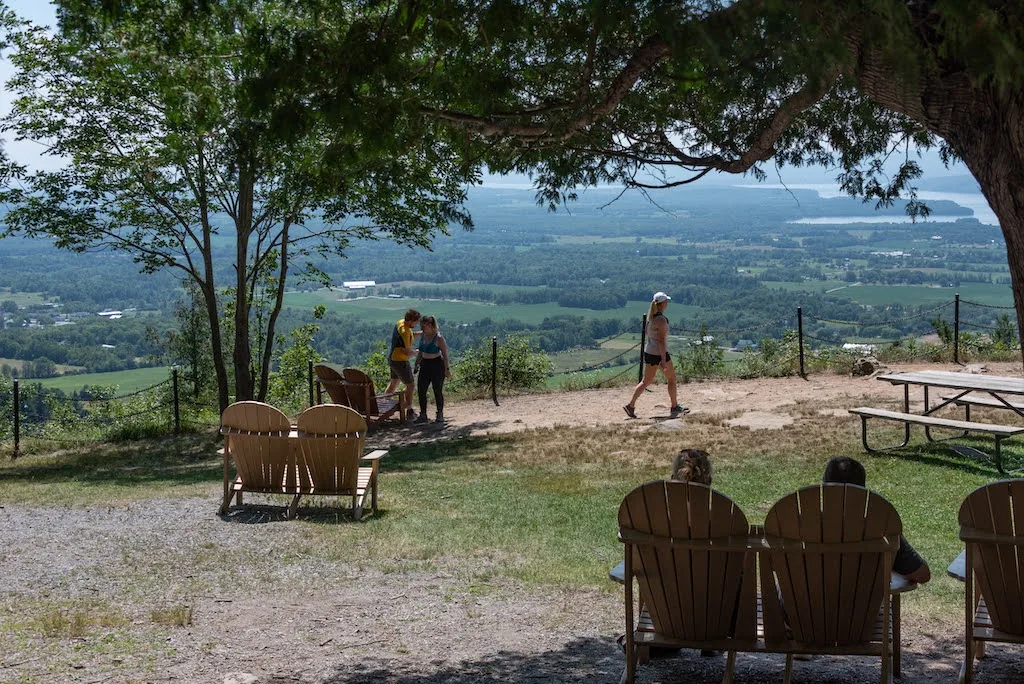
(965, 391)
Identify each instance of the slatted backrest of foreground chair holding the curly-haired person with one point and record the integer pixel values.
(692, 593)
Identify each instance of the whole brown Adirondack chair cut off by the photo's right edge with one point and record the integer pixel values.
(993, 528)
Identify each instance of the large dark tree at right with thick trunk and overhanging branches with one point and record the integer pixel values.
(656, 95)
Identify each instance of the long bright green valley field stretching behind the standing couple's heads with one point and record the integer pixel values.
(383, 310)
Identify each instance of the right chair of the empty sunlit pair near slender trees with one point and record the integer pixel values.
(331, 443)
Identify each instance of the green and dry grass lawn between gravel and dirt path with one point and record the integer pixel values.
(538, 506)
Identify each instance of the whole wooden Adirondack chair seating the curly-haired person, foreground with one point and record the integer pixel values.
(689, 548)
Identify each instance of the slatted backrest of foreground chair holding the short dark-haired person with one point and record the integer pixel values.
(830, 596)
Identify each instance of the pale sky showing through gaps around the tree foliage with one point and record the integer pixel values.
(42, 12)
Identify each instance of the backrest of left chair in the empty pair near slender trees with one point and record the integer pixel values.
(257, 438)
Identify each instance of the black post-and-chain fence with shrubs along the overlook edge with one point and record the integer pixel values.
(825, 346)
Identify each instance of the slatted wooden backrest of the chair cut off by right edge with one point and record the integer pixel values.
(996, 514)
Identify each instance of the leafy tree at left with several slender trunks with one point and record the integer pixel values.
(193, 140)
